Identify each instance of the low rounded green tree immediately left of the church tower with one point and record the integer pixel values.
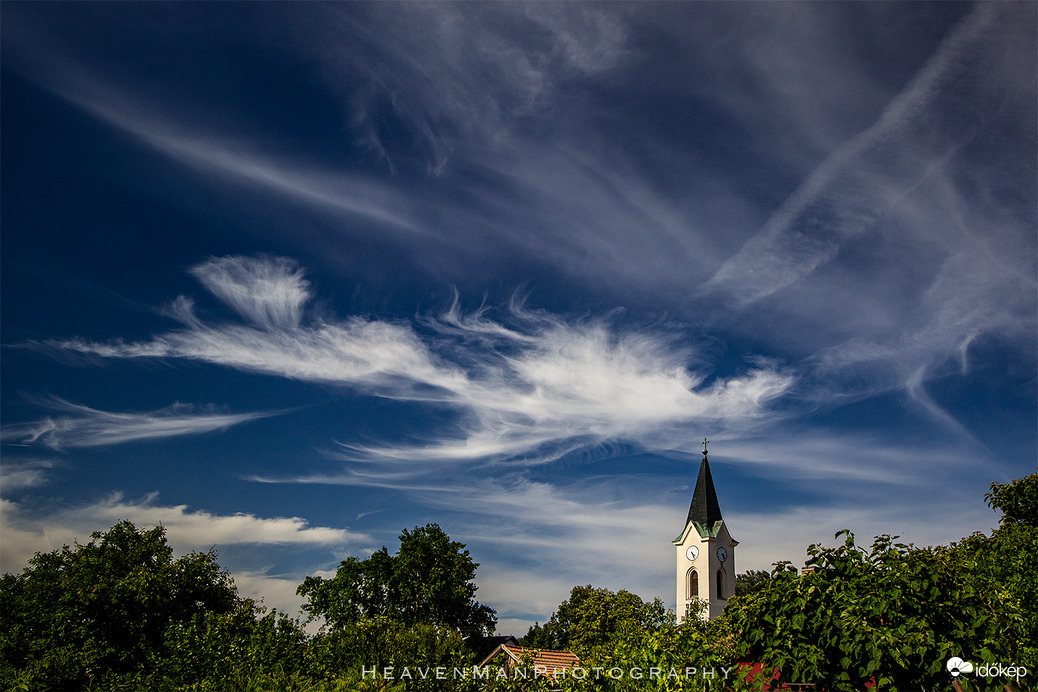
(594, 617)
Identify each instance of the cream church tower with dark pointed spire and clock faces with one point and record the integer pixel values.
(706, 553)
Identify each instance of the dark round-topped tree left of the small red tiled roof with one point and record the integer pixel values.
(429, 582)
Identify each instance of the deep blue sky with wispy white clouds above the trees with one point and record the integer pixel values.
(289, 279)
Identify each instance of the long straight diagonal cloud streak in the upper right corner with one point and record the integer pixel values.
(868, 178)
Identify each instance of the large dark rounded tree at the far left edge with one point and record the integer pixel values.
(103, 608)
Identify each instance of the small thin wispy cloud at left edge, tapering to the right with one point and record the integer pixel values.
(78, 426)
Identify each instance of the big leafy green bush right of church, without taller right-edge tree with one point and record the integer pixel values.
(895, 613)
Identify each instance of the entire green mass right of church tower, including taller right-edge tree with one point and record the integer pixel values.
(896, 614)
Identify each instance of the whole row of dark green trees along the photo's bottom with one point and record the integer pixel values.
(121, 613)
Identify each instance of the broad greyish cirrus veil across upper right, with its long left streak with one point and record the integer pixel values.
(909, 185)
